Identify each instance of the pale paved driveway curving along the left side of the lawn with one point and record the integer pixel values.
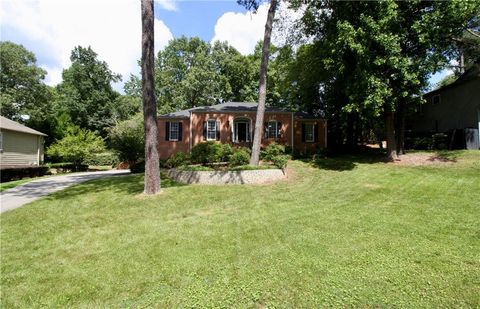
(29, 192)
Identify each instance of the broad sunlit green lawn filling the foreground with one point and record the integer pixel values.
(344, 232)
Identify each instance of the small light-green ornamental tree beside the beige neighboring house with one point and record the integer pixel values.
(77, 145)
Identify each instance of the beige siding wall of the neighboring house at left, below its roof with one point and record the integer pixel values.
(21, 148)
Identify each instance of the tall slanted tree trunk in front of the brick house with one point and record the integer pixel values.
(262, 89)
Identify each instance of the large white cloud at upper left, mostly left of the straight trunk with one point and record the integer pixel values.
(111, 27)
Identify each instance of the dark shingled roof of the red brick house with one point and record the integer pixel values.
(230, 107)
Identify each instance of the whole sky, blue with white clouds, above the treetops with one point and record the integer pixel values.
(52, 28)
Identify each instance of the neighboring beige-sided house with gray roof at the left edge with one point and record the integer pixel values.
(19, 145)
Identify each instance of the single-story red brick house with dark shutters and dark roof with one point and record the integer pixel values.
(233, 123)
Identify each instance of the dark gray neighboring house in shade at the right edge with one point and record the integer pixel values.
(452, 109)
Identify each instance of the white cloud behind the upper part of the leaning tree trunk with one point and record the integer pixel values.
(244, 30)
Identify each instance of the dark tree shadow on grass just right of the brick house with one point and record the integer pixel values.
(347, 162)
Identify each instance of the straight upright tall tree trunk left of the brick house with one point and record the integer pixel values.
(152, 169)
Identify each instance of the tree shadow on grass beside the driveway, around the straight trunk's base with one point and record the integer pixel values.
(129, 184)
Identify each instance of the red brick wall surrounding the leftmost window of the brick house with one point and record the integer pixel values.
(168, 148)
